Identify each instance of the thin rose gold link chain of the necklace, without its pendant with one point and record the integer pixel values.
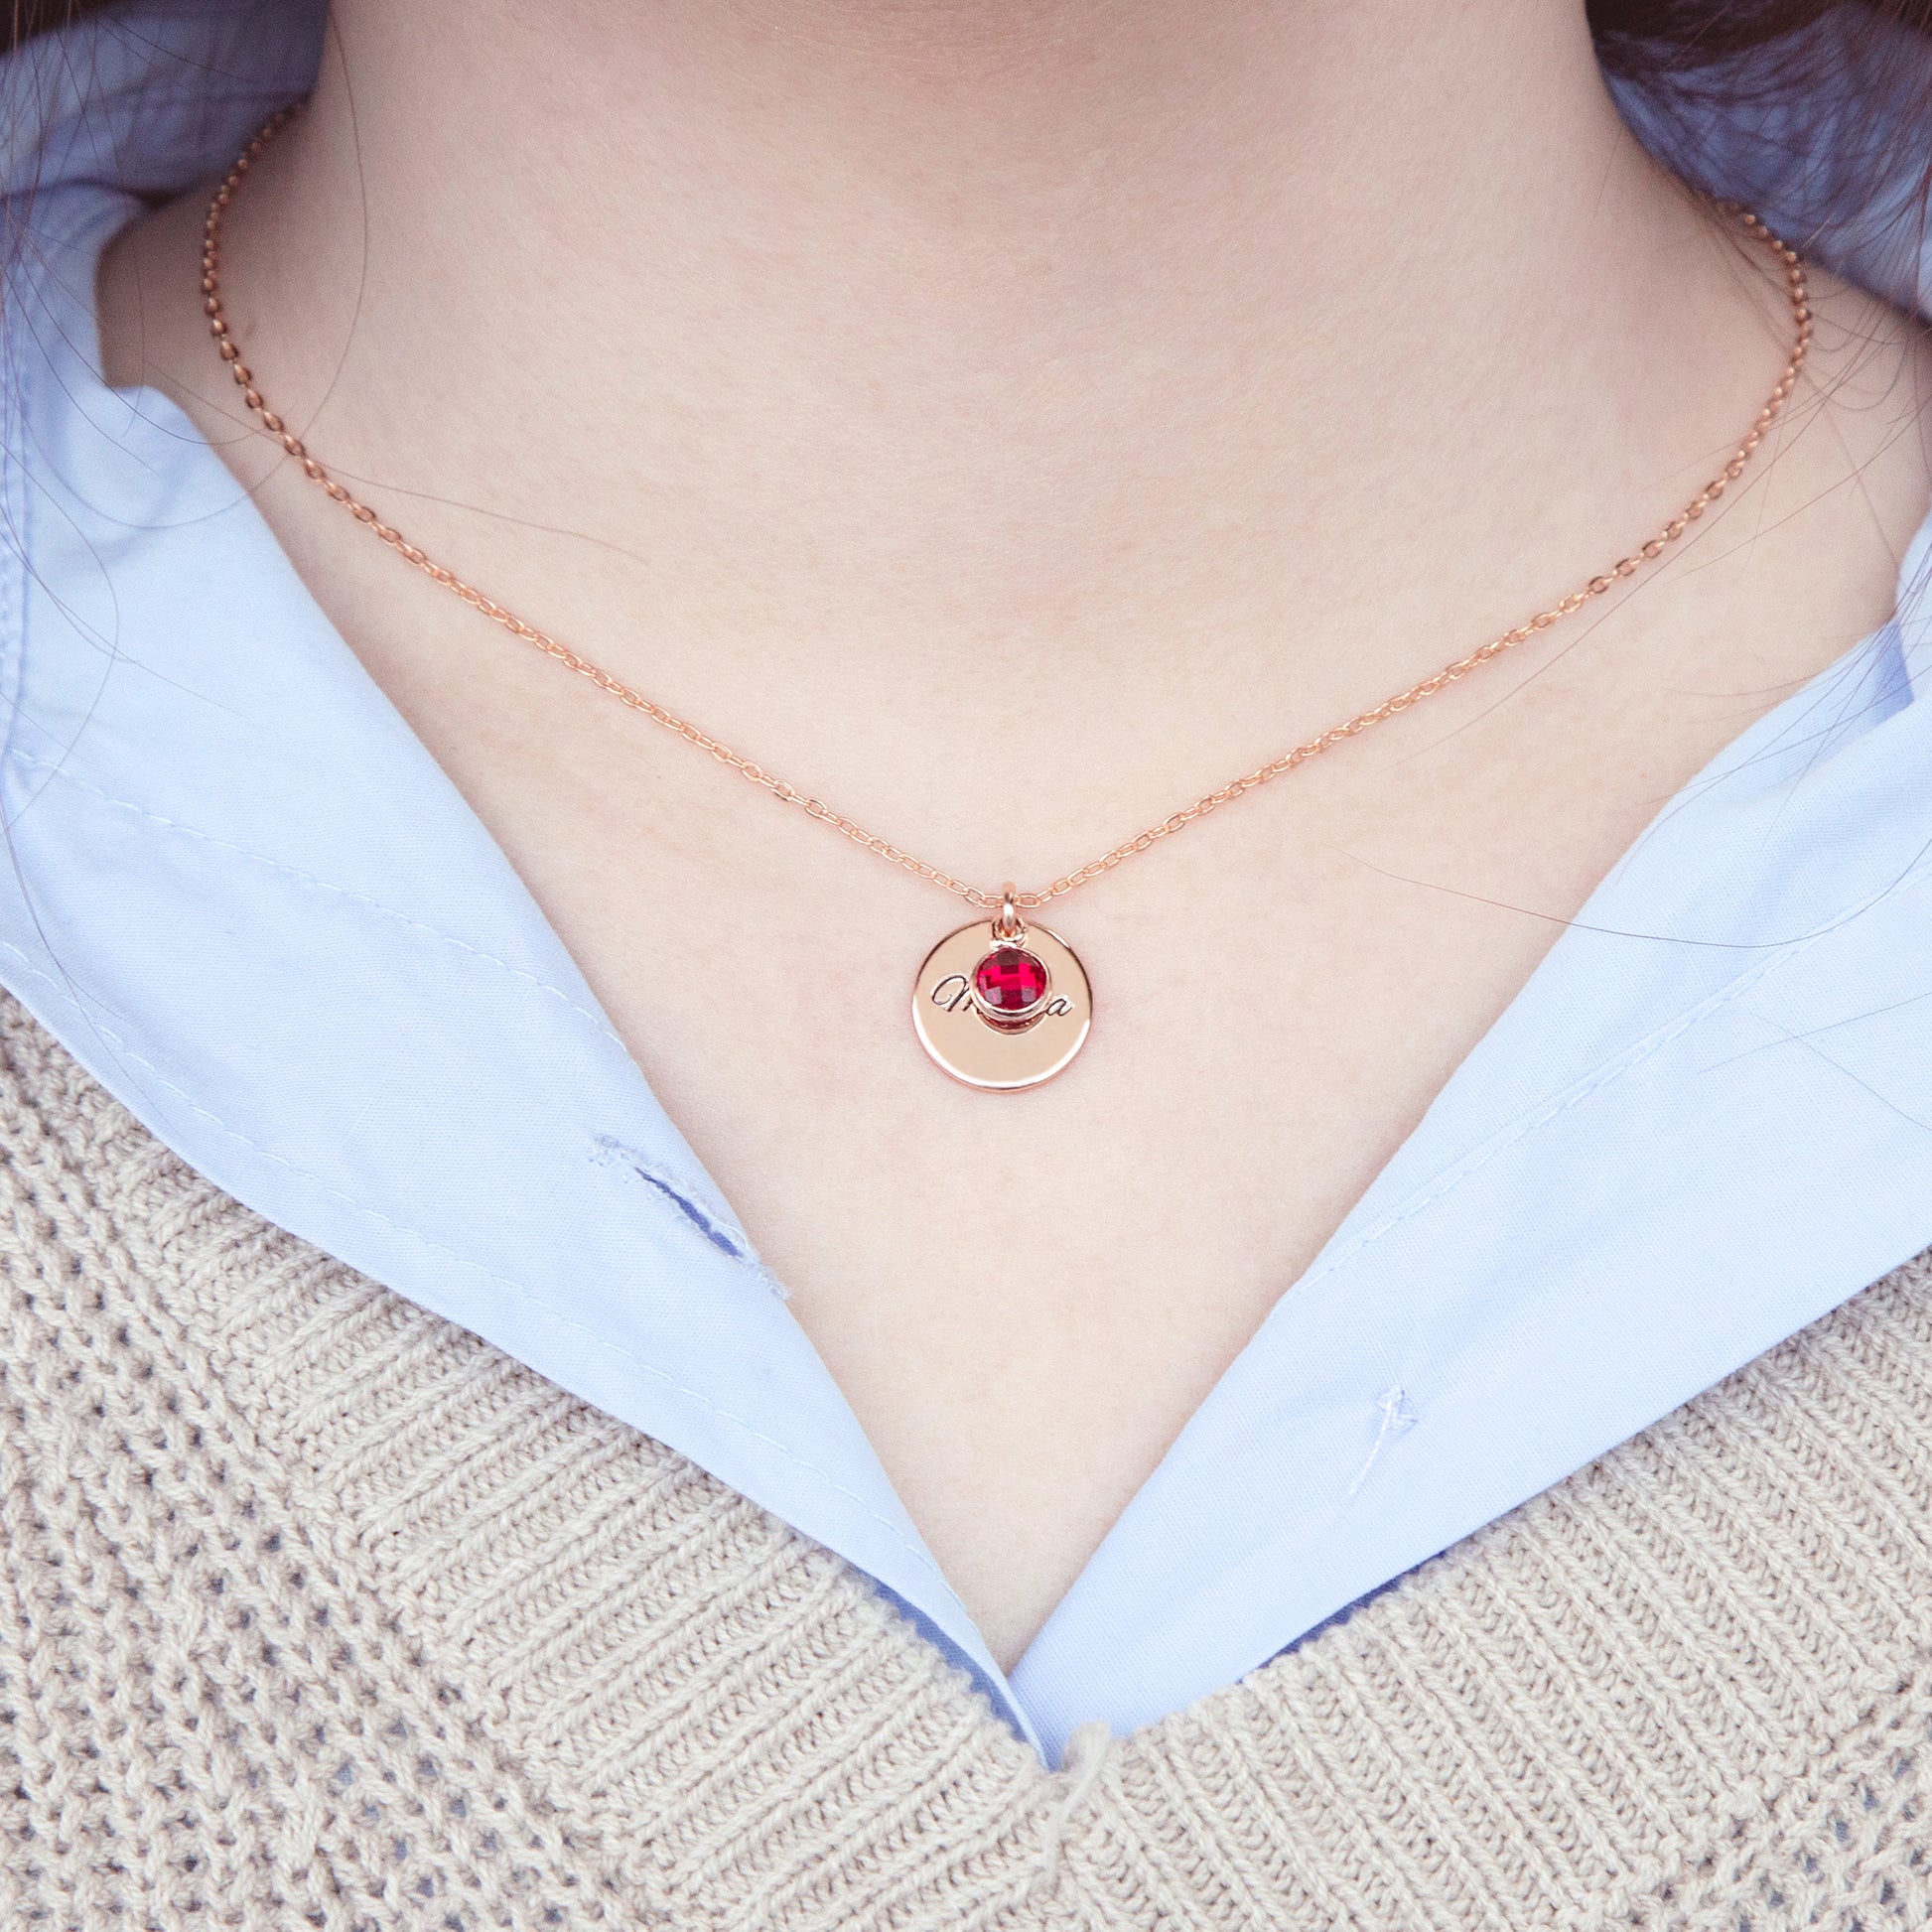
(1626, 567)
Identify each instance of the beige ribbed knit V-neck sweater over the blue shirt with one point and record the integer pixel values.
(320, 1612)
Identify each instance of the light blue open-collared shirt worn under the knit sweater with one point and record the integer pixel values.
(250, 903)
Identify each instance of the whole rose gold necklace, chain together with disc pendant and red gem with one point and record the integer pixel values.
(1000, 1004)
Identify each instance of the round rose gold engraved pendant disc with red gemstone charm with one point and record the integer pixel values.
(963, 996)
